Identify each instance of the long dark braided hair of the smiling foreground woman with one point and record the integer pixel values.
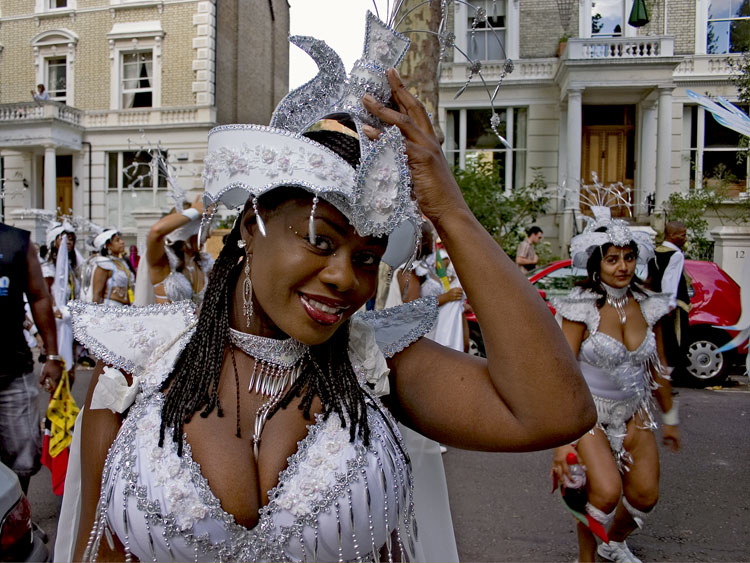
(325, 373)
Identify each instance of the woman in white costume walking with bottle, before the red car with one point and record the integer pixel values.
(612, 324)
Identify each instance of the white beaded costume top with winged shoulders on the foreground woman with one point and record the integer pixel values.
(337, 500)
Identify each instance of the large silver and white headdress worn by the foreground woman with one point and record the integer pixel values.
(247, 161)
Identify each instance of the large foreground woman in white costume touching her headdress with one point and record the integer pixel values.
(296, 455)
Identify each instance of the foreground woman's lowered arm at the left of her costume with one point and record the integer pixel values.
(99, 428)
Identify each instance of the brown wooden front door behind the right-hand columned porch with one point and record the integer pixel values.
(604, 153)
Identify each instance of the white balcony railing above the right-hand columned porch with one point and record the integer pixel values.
(646, 47)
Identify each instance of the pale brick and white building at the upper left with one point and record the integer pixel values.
(123, 76)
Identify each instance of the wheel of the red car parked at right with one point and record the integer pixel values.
(705, 364)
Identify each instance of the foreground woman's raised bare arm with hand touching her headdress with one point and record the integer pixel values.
(528, 394)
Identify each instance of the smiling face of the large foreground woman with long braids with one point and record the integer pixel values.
(302, 289)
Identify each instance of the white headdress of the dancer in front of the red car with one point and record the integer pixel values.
(602, 229)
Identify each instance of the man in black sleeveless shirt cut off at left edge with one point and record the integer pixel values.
(20, 273)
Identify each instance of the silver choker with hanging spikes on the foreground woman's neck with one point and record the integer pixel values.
(277, 365)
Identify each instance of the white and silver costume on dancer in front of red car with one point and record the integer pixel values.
(619, 379)
